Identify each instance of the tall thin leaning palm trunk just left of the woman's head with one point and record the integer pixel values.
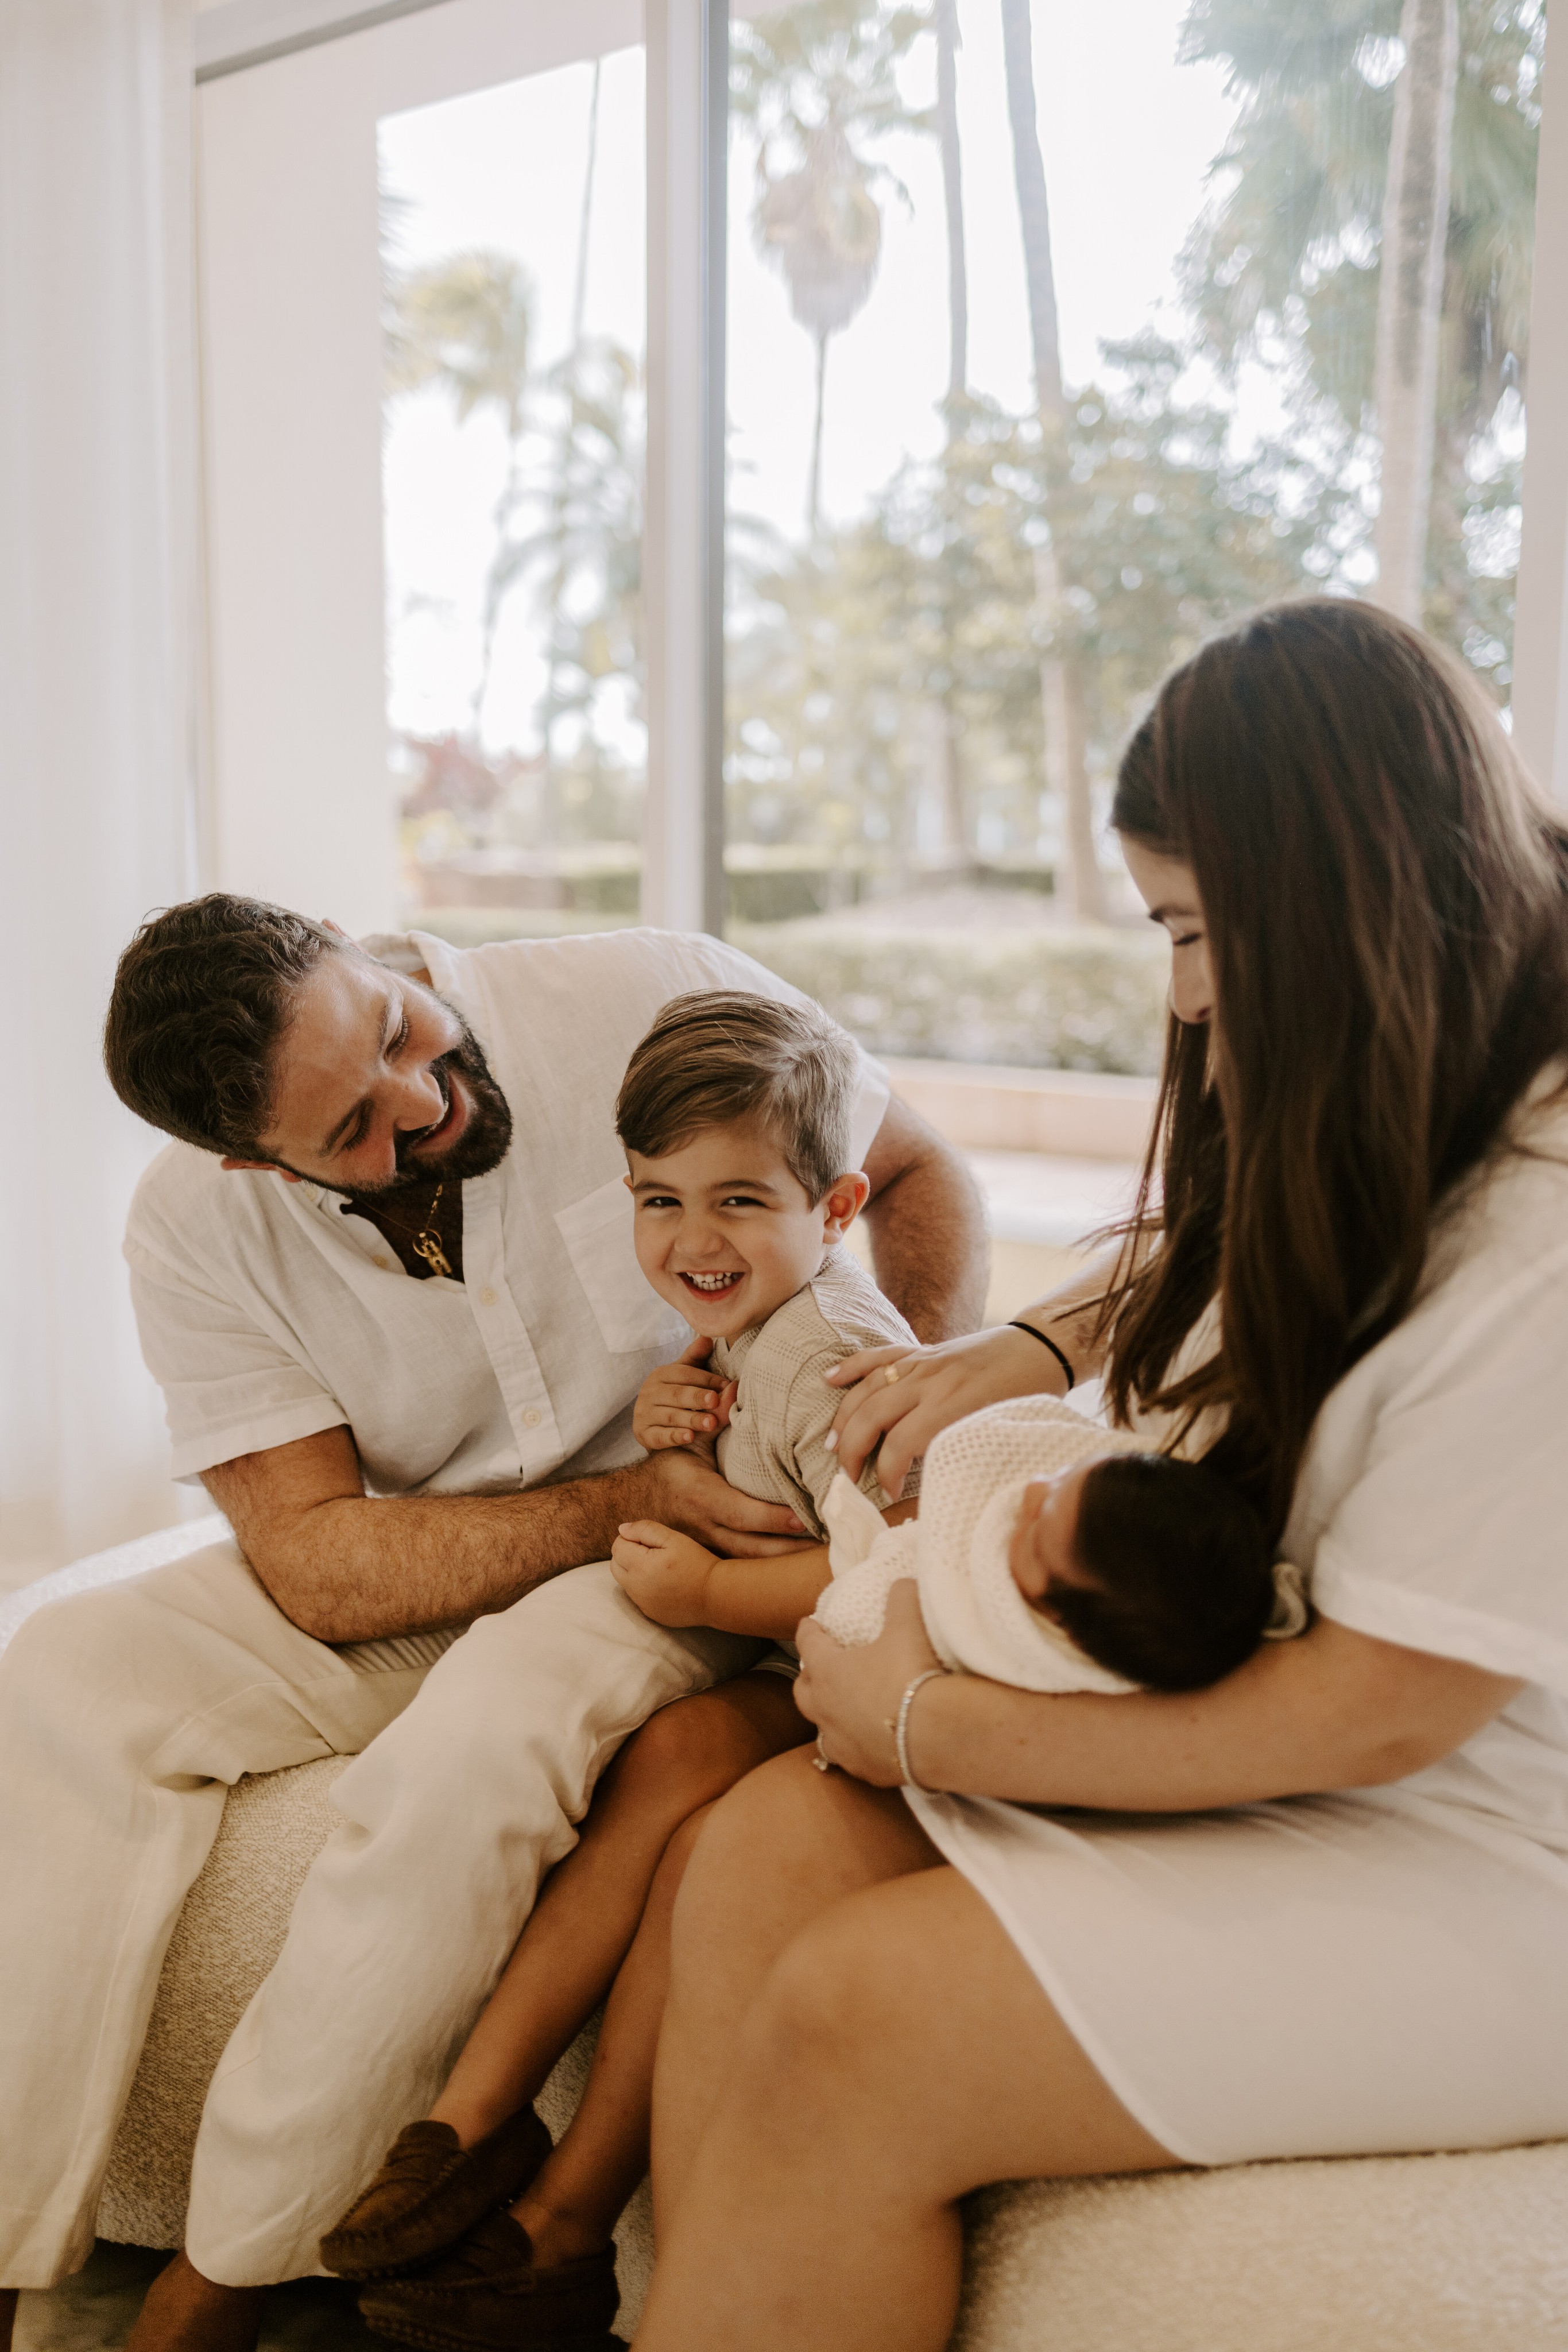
(1061, 679)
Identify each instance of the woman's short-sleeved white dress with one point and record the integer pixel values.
(1379, 1970)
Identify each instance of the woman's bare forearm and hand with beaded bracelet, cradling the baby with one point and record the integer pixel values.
(1329, 1711)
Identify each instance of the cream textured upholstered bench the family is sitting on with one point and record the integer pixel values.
(1388, 2254)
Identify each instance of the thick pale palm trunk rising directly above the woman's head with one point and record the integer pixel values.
(1412, 295)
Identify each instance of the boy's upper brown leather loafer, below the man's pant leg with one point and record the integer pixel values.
(429, 2193)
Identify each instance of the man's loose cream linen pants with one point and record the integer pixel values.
(123, 1718)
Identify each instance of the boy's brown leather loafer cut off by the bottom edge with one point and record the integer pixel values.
(490, 2297)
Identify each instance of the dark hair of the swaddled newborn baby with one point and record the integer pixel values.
(1184, 1572)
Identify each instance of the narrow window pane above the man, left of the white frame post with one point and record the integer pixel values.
(514, 232)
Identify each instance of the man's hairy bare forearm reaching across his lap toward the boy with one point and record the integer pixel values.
(351, 1568)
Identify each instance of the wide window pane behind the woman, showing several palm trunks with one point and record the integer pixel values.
(1057, 340)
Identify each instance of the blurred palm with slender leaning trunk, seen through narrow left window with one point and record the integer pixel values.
(467, 323)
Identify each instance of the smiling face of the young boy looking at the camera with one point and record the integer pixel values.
(728, 1234)
